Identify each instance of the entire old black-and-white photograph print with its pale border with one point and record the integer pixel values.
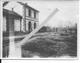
(40, 29)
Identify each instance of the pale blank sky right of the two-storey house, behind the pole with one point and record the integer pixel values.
(67, 15)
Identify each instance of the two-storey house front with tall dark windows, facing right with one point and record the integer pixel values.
(30, 18)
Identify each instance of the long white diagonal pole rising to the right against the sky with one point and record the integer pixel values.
(38, 28)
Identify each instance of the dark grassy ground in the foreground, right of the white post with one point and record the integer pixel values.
(50, 47)
